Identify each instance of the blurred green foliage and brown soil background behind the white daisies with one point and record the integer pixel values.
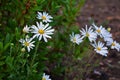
(56, 60)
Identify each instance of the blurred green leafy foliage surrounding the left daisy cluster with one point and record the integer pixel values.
(14, 15)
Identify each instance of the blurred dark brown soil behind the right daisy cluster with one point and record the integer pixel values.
(105, 12)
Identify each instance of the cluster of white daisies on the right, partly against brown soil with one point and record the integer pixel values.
(98, 37)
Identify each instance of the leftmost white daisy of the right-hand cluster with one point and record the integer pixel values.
(75, 38)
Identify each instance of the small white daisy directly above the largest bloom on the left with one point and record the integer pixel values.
(45, 17)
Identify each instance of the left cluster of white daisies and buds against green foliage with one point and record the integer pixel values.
(41, 30)
